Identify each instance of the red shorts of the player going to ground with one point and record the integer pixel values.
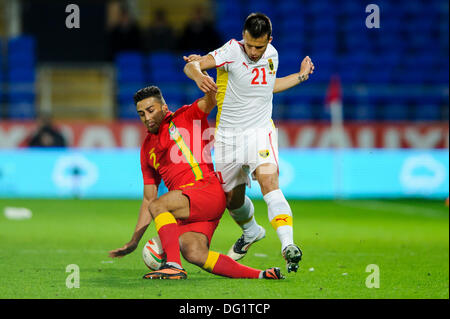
(207, 205)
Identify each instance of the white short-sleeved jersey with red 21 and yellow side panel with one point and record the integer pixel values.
(245, 88)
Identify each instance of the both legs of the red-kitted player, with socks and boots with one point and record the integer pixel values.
(194, 246)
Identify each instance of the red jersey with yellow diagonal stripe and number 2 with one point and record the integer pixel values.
(180, 153)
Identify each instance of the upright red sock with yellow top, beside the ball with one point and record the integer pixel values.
(167, 228)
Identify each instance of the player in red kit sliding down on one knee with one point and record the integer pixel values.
(176, 151)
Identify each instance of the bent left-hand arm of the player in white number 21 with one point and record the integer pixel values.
(194, 70)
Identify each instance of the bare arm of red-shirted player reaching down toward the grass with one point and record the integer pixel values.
(150, 193)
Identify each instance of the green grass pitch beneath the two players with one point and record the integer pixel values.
(407, 239)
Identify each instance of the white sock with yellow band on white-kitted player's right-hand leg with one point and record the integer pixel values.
(280, 216)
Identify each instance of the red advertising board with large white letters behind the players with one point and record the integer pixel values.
(291, 134)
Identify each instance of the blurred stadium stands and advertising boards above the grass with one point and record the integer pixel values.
(394, 84)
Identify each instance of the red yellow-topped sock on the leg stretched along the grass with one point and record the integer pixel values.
(222, 265)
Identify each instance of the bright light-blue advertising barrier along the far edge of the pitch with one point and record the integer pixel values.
(303, 174)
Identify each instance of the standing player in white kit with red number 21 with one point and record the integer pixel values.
(246, 138)
